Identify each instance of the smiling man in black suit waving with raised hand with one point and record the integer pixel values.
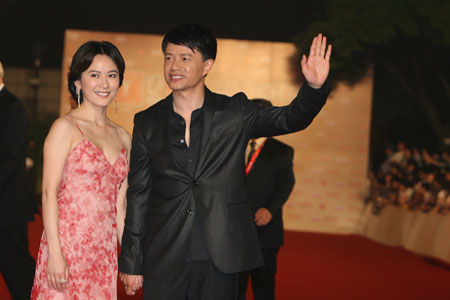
(188, 228)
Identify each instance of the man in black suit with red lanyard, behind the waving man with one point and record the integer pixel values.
(269, 181)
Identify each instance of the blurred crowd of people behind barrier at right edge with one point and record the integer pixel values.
(413, 178)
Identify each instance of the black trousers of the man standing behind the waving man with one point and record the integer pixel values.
(263, 279)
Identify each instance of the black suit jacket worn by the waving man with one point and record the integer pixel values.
(161, 197)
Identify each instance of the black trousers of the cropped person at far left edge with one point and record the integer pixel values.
(16, 263)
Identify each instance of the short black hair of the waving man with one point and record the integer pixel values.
(193, 36)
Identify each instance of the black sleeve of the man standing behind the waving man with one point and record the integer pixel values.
(285, 181)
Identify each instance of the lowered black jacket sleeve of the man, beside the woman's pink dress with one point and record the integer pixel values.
(140, 182)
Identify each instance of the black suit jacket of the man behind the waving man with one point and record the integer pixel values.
(269, 184)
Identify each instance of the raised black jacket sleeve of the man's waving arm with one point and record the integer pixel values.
(277, 120)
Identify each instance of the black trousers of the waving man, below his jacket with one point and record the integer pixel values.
(199, 280)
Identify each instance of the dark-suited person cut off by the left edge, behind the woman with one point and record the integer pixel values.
(17, 207)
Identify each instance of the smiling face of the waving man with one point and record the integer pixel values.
(184, 69)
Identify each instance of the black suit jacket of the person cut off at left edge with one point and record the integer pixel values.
(17, 204)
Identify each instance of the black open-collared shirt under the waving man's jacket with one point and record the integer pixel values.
(186, 158)
